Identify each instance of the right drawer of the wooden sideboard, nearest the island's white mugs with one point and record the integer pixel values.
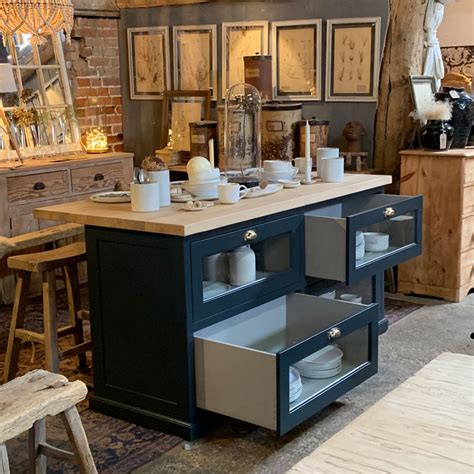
(96, 178)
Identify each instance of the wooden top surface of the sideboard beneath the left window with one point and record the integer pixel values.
(32, 164)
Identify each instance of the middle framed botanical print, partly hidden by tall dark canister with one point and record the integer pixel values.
(240, 39)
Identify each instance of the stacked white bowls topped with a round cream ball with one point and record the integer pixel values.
(202, 178)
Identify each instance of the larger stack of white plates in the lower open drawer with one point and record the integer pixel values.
(322, 364)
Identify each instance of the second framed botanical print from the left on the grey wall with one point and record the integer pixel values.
(195, 58)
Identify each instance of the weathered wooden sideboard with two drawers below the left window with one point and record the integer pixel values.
(43, 182)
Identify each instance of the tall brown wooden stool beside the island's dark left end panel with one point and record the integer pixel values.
(46, 263)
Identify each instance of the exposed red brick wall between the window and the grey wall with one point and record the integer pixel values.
(92, 61)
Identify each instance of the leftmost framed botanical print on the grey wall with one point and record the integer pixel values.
(149, 62)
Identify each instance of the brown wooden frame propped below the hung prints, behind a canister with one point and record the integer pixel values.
(179, 109)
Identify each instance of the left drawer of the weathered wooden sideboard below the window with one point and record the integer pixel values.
(34, 186)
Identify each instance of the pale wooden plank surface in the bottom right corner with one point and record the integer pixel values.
(424, 425)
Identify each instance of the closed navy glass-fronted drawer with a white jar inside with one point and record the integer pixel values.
(246, 264)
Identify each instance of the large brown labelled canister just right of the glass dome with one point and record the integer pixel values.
(279, 123)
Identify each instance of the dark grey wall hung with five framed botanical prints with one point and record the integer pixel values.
(324, 54)
